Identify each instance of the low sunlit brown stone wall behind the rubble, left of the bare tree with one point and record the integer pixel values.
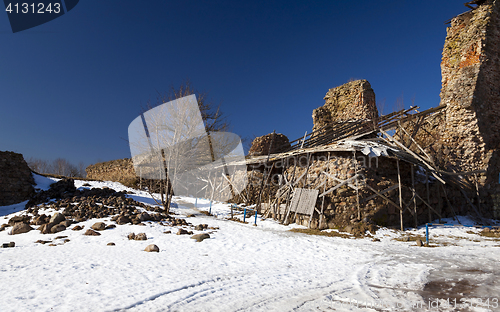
(119, 170)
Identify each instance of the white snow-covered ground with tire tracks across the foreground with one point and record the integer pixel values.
(244, 268)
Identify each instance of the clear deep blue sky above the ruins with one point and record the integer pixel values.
(69, 88)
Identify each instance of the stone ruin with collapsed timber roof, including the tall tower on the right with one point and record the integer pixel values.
(430, 164)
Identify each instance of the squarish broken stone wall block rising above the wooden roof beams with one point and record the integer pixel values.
(354, 100)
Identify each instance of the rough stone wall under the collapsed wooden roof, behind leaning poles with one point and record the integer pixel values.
(340, 206)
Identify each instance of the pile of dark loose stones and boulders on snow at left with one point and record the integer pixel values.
(74, 206)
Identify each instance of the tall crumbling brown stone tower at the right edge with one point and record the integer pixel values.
(470, 69)
